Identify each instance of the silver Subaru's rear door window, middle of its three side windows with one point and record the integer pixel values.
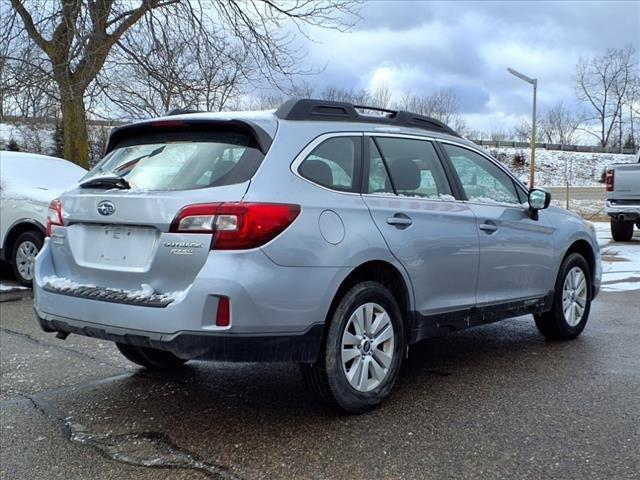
(413, 165)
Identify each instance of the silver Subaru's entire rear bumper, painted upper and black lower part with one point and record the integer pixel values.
(275, 311)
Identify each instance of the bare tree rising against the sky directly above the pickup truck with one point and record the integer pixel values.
(602, 82)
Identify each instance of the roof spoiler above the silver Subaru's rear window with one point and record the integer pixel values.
(262, 138)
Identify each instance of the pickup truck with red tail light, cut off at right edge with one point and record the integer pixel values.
(623, 198)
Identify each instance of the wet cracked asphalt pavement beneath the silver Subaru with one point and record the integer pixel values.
(491, 402)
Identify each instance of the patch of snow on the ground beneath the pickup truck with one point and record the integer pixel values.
(620, 261)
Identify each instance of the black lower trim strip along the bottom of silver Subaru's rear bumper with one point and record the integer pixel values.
(302, 347)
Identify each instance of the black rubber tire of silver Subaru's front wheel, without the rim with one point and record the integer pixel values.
(553, 325)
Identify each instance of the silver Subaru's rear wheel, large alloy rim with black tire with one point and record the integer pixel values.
(361, 356)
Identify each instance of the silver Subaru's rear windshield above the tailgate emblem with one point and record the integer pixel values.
(182, 160)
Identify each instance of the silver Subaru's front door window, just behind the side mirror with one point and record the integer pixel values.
(482, 181)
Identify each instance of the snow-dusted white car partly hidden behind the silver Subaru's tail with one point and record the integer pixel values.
(28, 182)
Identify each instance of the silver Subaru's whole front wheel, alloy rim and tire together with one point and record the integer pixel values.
(571, 303)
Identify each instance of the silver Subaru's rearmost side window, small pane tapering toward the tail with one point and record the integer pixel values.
(332, 164)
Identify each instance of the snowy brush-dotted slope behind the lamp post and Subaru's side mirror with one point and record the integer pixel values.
(553, 166)
